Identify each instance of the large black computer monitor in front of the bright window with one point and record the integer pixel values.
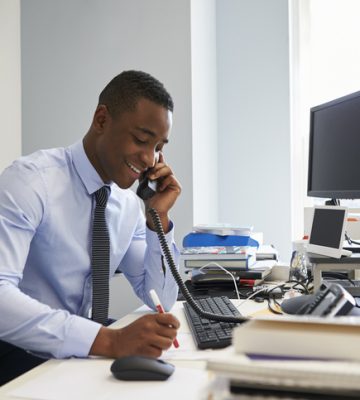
(334, 149)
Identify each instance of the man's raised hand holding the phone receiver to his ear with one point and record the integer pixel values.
(168, 190)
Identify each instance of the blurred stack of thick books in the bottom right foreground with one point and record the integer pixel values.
(291, 357)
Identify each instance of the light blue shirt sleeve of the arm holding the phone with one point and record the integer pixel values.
(145, 266)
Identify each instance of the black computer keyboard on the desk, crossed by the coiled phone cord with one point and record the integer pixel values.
(211, 334)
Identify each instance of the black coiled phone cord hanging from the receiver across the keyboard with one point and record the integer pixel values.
(184, 290)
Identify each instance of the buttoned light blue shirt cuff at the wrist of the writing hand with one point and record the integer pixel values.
(81, 336)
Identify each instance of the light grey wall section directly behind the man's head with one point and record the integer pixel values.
(71, 49)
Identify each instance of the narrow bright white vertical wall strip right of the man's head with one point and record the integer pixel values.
(204, 111)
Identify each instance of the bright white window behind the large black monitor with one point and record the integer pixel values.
(325, 64)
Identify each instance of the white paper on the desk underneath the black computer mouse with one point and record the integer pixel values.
(92, 379)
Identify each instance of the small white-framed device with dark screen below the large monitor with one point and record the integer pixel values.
(328, 231)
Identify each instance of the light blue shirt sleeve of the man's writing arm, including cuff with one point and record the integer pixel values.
(26, 322)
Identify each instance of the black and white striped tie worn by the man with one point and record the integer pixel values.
(100, 259)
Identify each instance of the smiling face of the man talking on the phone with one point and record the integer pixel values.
(128, 144)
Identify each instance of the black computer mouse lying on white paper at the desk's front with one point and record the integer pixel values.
(140, 368)
